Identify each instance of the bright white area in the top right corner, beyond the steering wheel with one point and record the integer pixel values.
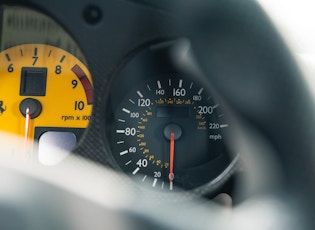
(295, 22)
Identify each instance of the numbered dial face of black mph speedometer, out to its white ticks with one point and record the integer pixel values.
(169, 130)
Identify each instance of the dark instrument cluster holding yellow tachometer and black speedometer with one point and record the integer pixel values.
(130, 103)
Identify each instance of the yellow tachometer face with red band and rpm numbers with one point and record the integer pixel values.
(43, 89)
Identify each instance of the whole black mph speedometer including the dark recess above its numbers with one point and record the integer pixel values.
(166, 130)
